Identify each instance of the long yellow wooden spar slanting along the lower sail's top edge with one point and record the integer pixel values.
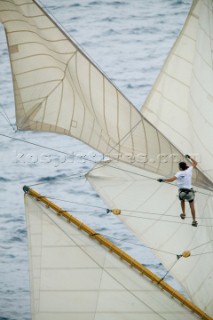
(108, 244)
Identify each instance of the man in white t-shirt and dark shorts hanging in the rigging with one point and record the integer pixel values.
(184, 178)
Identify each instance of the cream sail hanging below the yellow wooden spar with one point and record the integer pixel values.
(72, 276)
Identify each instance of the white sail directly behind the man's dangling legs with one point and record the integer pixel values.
(152, 211)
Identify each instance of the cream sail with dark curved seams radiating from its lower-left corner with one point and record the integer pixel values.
(58, 89)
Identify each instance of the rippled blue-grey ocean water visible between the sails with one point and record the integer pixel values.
(129, 41)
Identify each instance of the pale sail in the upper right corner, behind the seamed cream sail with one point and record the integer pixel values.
(180, 103)
